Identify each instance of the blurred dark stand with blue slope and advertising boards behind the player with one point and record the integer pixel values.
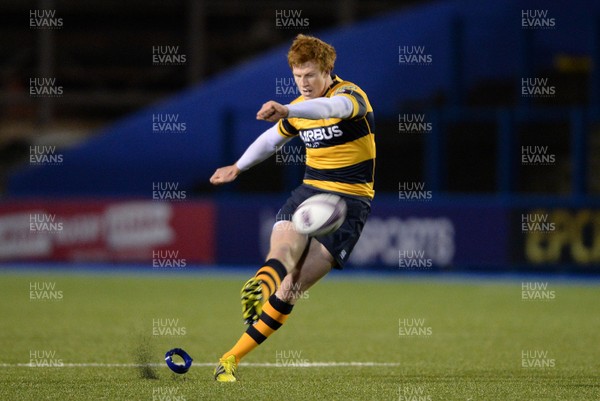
(116, 113)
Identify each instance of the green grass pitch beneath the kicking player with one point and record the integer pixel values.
(103, 337)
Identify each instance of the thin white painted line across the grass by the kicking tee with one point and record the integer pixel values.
(252, 365)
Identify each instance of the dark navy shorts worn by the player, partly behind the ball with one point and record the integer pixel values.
(341, 242)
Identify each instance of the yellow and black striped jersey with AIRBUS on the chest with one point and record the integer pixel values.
(340, 153)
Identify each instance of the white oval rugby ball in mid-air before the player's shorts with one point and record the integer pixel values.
(319, 215)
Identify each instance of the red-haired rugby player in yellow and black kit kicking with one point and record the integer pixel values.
(334, 119)
